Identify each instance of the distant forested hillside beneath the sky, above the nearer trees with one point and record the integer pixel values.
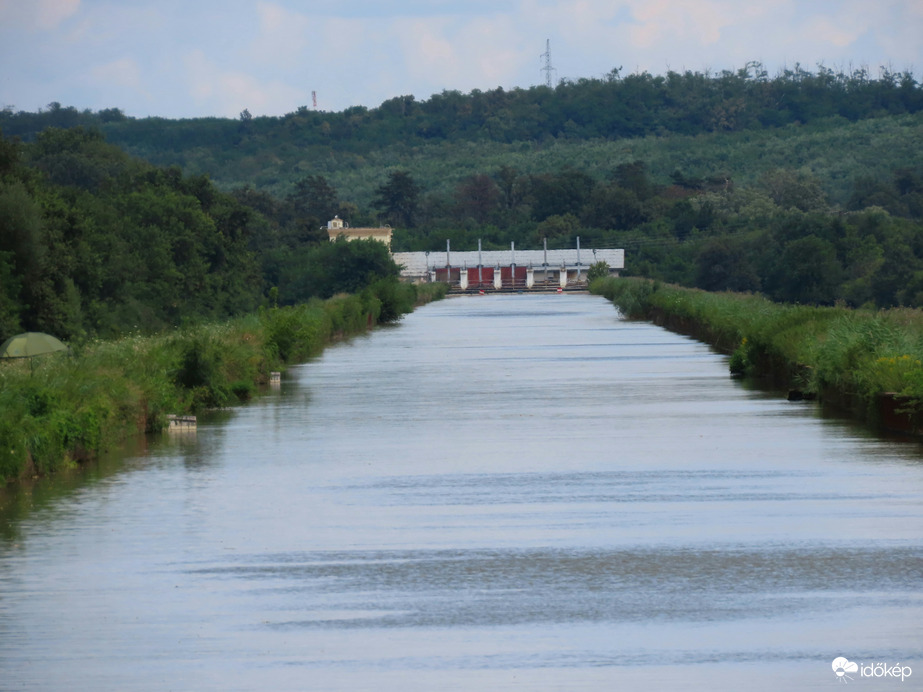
(731, 123)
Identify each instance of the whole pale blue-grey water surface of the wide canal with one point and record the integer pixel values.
(499, 493)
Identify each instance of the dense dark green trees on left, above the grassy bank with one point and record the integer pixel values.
(94, 242)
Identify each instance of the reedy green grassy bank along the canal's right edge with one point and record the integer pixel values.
(867, 362)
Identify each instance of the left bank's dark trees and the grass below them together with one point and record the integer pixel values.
(173, 296)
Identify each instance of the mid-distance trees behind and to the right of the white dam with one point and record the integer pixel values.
(781, 236)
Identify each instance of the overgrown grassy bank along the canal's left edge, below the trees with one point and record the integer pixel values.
(67, 408)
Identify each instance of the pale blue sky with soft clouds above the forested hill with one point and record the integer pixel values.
(200, 58)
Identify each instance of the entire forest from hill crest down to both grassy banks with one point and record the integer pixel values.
(806, 186)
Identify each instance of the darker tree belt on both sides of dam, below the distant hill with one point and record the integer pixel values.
(95, 242)
